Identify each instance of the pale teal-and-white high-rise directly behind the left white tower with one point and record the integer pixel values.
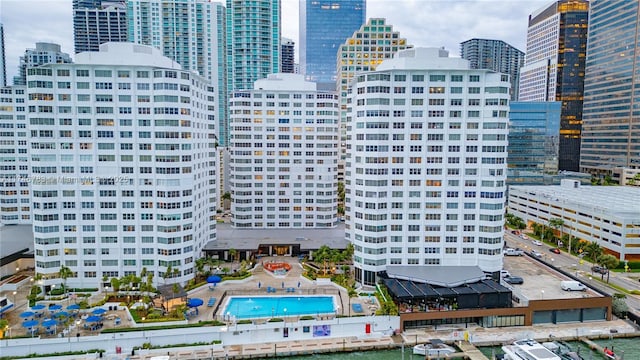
(190, 32)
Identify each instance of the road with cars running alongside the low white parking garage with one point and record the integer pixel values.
(570, 263)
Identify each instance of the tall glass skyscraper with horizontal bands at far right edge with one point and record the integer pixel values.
(611, 121)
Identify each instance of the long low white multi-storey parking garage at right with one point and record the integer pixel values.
(606, 215)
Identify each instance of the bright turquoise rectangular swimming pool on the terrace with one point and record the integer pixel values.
(274, 306)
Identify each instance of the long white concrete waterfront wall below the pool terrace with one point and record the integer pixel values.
(229, 335)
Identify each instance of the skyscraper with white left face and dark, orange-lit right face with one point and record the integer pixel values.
(554, 69)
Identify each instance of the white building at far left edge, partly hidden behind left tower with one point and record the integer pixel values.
(15, 204)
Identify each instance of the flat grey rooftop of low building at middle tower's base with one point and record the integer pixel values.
(249, 239)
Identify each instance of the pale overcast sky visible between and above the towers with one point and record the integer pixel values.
(423, 22)
